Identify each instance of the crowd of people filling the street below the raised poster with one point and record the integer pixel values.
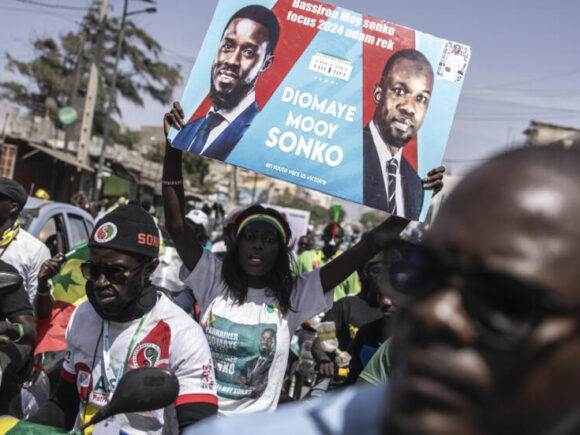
(471, 330)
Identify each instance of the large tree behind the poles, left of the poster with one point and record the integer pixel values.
(60, 70)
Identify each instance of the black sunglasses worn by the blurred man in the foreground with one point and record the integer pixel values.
(505, 309)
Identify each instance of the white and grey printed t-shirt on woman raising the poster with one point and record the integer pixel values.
(233, 331)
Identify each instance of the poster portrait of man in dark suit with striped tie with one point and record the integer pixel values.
(401, 97)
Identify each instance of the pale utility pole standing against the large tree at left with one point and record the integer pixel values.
(91, 97)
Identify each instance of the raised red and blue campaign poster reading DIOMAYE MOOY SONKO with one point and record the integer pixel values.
(334, 100)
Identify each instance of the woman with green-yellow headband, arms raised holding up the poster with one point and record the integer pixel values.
(250, 302)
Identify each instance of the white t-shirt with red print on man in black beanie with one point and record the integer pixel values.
(168, 338)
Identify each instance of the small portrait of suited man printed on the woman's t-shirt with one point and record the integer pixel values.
(254, 374)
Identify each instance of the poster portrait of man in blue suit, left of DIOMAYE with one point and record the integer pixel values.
(244, 53)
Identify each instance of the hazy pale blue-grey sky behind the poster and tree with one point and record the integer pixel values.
(525, 62)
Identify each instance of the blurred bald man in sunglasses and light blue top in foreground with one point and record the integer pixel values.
(487, 335)
